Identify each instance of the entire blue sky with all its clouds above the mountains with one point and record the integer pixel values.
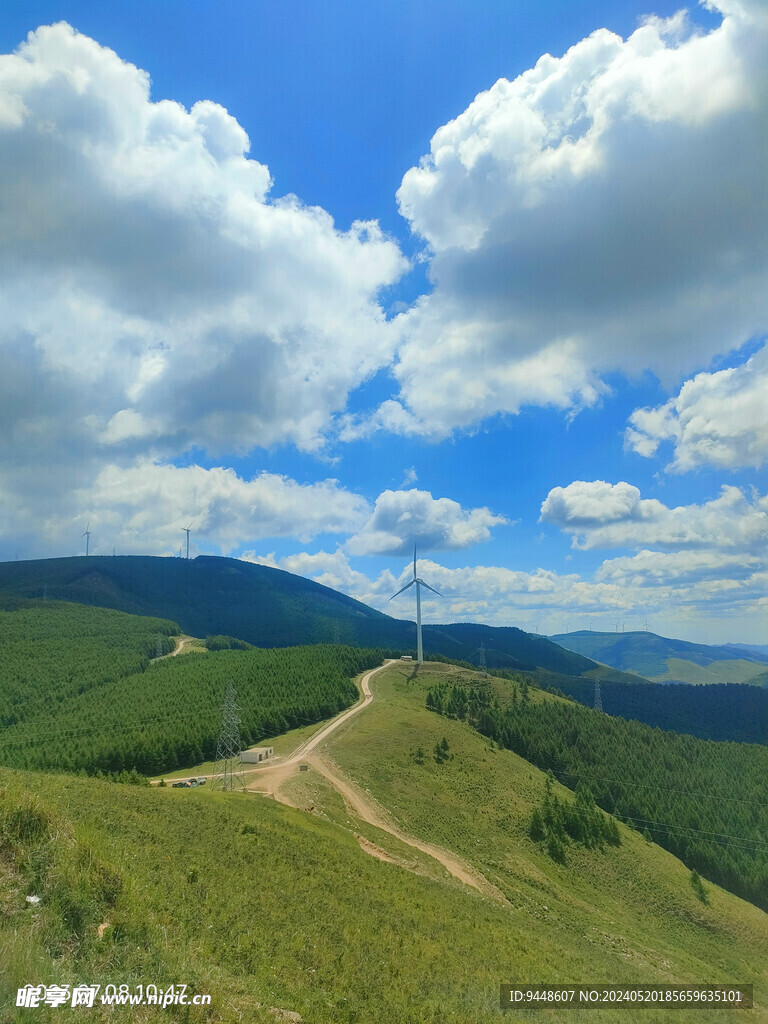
(345, 277)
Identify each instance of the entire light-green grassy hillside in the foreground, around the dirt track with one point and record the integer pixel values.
(276, 911)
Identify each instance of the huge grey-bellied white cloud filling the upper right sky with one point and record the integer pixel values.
(607, 210)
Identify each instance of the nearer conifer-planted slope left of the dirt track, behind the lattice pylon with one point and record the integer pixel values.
(169, 716)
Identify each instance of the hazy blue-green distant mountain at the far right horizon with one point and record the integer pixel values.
(664, 661)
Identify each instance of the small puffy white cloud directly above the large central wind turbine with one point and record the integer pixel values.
(402, 519)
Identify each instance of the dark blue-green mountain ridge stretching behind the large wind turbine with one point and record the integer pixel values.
(272, 609)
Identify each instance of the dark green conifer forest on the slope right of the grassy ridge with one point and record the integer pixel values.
(706, 802)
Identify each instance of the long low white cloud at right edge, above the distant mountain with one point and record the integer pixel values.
(604, 516)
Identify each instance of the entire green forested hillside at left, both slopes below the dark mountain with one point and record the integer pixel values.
(80, 692)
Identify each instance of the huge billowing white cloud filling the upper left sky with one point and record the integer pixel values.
(149, 280)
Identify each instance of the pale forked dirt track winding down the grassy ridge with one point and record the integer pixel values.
(270, 779)
